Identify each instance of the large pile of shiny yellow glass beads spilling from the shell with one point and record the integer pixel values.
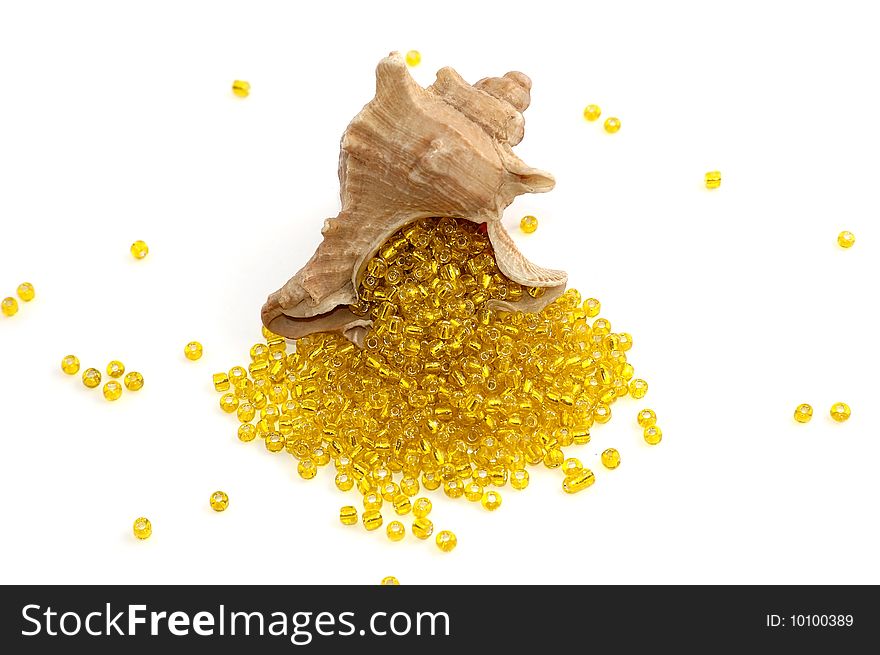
(446, 391)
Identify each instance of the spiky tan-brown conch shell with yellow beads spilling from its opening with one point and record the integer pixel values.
(444, 151)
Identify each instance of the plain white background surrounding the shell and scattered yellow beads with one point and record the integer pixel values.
(117, 123)
